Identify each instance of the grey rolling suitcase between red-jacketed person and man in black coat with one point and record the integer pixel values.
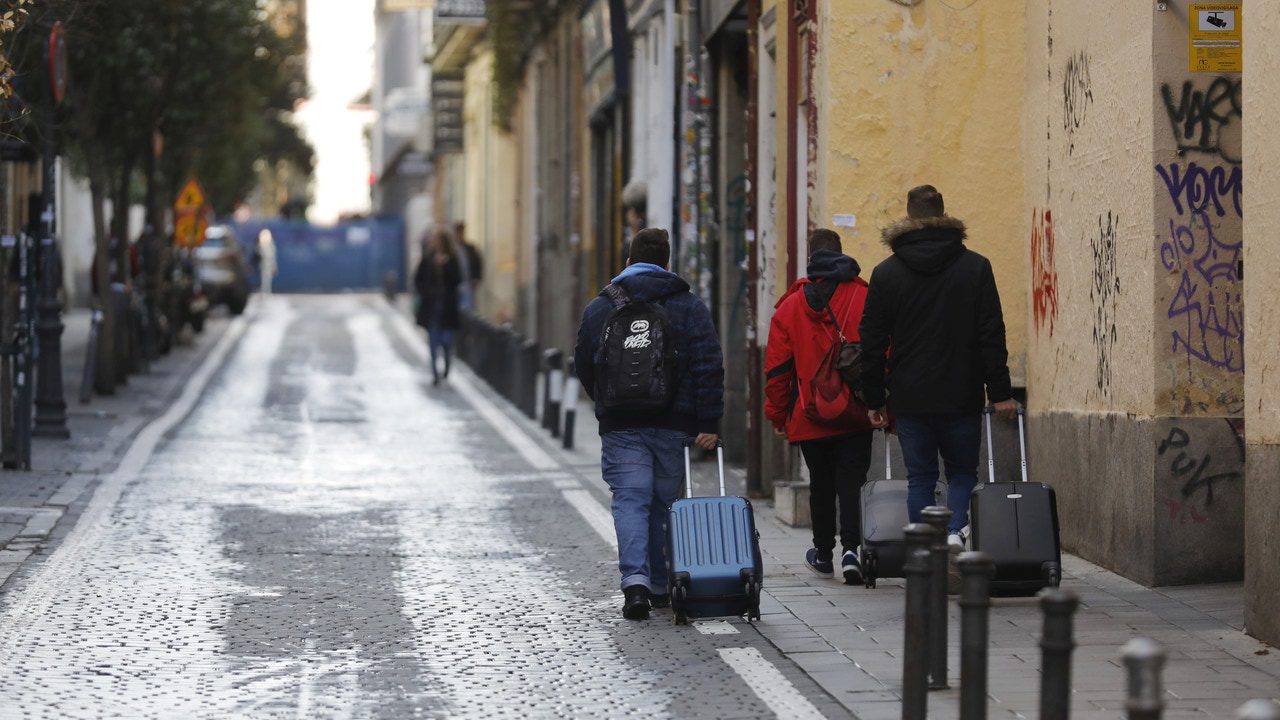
(884, 549)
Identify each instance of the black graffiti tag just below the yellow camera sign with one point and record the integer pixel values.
(1201, 117)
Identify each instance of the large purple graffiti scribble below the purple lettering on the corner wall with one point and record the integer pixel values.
(1209, 298)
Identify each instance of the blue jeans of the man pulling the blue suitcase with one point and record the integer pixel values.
(644, 470)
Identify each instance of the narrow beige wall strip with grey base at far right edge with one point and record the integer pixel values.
(1261, 390)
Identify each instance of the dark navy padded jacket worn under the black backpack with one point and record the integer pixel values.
(700, 400)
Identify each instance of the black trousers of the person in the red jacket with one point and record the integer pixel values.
(838, 468)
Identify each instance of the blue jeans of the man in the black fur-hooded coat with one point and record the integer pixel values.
(958, 438)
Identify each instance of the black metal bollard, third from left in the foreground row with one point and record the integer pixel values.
(976, 569)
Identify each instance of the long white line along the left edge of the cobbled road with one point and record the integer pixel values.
(61, 568)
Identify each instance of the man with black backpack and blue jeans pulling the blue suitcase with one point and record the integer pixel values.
(648, 356)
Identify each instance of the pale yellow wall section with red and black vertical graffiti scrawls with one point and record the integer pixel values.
(1090, 185)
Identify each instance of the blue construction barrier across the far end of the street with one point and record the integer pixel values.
(349, 257)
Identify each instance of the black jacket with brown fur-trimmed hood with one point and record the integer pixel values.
(934, 307)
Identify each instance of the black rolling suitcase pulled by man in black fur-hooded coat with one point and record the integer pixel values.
(1017, 526)
